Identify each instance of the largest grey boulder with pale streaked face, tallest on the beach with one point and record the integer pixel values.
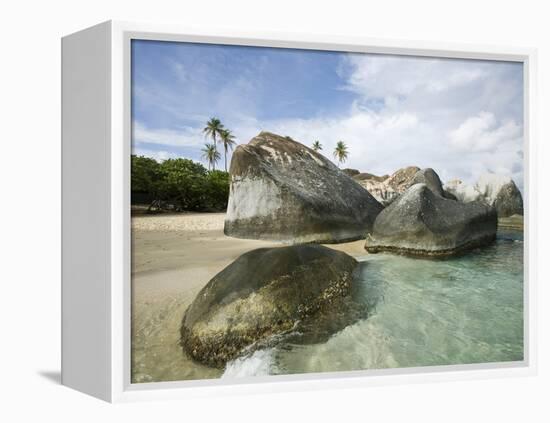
(282, 190)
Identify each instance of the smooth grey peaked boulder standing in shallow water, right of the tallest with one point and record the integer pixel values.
(422, 223)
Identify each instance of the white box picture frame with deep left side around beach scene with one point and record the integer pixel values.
(96, 131)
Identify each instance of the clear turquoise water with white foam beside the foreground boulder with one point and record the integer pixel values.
(423, 312)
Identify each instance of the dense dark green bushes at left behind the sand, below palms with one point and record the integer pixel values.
(179, 184)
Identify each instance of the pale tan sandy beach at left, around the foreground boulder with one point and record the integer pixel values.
(173, 257)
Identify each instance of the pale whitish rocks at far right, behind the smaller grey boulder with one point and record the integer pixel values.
(498, 191)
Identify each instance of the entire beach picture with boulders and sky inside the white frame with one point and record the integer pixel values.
(301, 211)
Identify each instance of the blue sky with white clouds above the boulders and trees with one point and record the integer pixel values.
(462, 118)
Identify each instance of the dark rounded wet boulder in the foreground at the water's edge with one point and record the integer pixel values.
(265, 292)
